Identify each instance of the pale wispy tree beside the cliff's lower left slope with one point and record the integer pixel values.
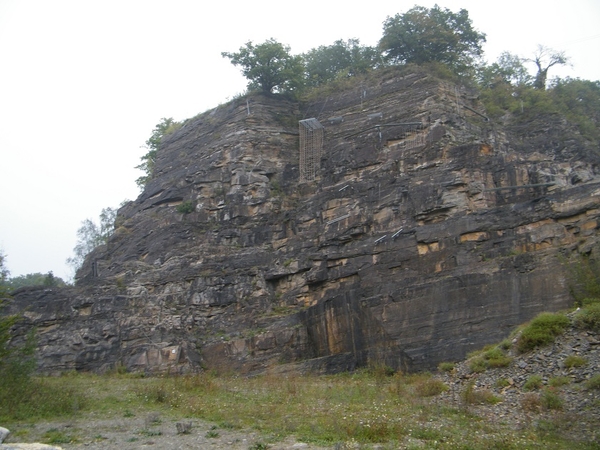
(90, 235)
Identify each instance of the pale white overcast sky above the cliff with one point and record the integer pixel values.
(84, 82)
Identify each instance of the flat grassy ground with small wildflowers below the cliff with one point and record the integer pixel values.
(348, 410)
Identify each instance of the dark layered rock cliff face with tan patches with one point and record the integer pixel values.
(411, 231)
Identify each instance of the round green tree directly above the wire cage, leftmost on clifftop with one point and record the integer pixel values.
(269, 67)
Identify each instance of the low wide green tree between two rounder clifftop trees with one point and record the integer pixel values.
(342, 58)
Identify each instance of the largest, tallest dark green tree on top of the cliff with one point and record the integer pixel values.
(423, 35)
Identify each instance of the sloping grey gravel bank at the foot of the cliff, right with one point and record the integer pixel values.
(578, 417)
